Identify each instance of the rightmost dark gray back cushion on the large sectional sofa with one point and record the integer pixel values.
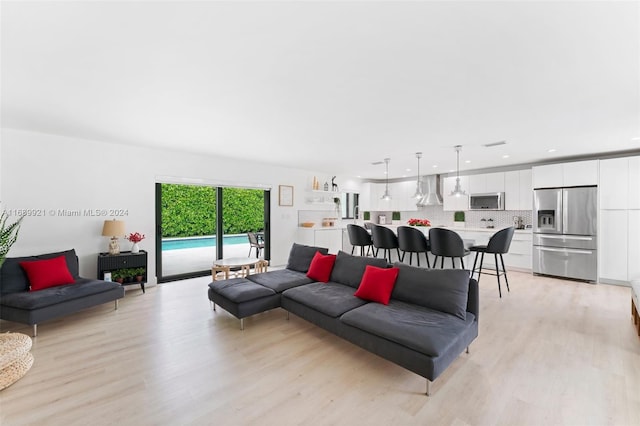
(445, 290)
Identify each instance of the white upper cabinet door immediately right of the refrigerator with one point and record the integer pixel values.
(614, 183)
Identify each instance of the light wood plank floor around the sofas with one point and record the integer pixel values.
(550, 352)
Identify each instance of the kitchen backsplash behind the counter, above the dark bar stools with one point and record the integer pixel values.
(473, 219)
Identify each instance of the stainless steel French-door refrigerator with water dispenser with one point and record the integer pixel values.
(564, 232)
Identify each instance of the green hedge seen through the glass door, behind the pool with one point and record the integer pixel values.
(191, 210)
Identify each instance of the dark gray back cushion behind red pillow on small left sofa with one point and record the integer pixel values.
(13, 278)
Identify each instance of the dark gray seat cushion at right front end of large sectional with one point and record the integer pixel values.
(422, 329)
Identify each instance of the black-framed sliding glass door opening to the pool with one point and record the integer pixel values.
(197, 224)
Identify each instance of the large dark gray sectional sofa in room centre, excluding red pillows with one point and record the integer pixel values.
(431, 319)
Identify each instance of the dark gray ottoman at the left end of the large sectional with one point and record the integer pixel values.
(242, 298)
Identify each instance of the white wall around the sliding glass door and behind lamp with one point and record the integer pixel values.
(49, 173)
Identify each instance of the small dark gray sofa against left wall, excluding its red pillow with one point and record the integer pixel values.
(18, 304)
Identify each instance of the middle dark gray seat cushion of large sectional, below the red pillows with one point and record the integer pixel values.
(330, 298)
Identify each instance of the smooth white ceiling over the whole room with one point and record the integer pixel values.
(330, 86)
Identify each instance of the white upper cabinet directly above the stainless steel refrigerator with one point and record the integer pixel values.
(578, 173)
